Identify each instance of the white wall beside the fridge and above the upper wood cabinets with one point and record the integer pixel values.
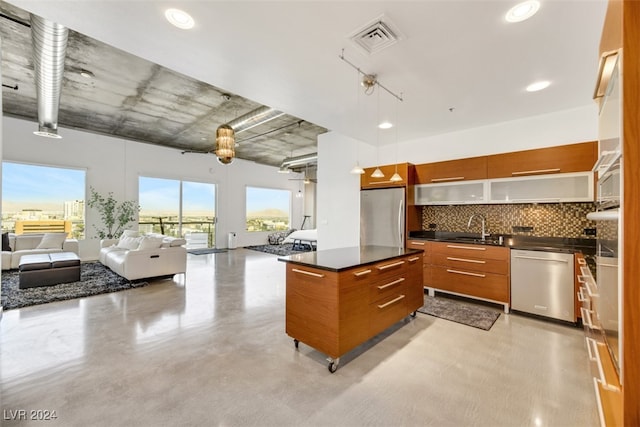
(338, 198)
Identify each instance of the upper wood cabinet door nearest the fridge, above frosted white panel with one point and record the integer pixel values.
(471, 168)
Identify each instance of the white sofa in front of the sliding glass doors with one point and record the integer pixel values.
(138, 257)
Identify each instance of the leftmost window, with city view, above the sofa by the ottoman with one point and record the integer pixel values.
(38, 199)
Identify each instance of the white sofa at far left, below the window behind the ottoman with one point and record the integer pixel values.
(29, 244)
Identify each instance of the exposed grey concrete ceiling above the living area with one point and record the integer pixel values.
(135, 99)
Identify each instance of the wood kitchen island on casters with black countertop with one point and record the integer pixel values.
(337, 299)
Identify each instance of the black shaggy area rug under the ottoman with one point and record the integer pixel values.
(94, 279)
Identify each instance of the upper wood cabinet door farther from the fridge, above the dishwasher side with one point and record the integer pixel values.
(560, 159)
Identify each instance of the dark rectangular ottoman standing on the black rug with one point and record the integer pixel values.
(48, 269)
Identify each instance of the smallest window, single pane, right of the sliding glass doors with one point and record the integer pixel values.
(268, 209)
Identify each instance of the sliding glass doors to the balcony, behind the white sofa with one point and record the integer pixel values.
(178, 208)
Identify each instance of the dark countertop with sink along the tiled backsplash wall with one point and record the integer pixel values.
(546, 244)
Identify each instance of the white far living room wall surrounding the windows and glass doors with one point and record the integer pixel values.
(114, 165)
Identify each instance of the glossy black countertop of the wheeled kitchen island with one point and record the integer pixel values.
(345, 258)
